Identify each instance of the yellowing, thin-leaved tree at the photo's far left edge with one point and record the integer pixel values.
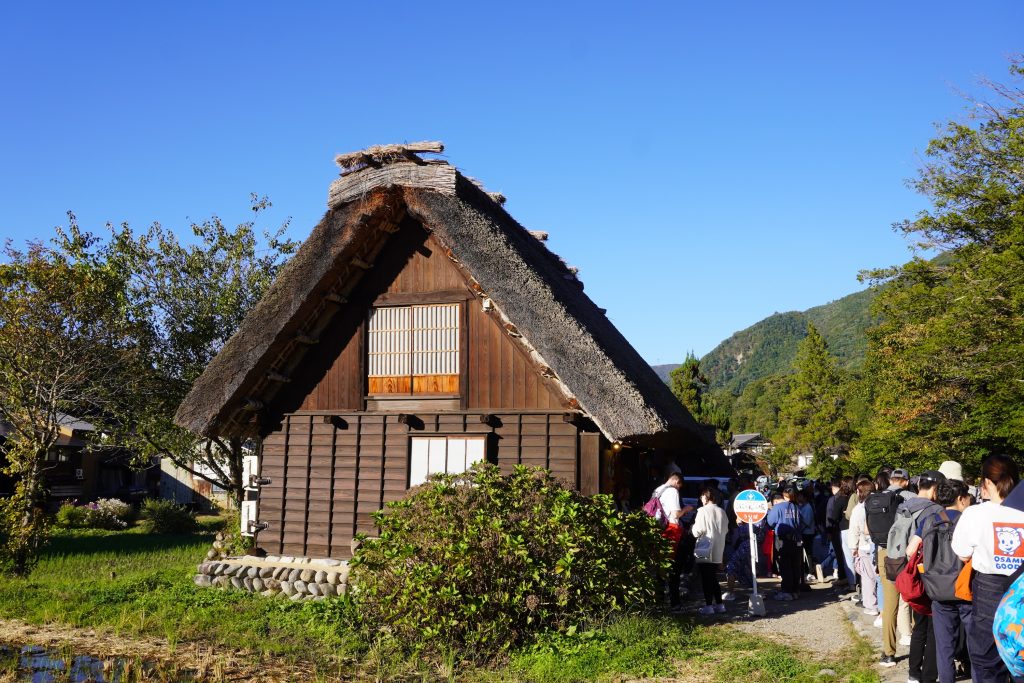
(70, 346)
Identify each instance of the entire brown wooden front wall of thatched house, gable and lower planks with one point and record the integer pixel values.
(328, 480)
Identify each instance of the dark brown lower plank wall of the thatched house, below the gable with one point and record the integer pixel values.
(326, 483)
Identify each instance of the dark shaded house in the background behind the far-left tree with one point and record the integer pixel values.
(79, 471)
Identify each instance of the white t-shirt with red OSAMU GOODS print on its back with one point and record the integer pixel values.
(993, 536)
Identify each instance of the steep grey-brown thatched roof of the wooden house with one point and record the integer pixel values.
(599, 371)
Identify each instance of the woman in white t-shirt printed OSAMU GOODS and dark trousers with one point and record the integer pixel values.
(991, 536)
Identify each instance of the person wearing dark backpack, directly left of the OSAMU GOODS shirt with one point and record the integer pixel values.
(934, 538)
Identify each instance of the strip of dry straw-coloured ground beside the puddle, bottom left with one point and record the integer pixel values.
(205, 663)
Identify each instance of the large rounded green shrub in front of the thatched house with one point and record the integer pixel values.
(484, 563)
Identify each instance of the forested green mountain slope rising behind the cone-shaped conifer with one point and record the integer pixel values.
(770, 347)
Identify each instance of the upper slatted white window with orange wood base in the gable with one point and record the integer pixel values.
(414, 350)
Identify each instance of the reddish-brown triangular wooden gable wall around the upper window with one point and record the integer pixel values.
(498, 373)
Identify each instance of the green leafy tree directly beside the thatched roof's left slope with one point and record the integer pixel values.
(195, 295)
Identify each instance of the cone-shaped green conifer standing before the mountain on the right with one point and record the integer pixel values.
(813, 417)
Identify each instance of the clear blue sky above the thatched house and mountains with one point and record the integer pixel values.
(704, 165)
